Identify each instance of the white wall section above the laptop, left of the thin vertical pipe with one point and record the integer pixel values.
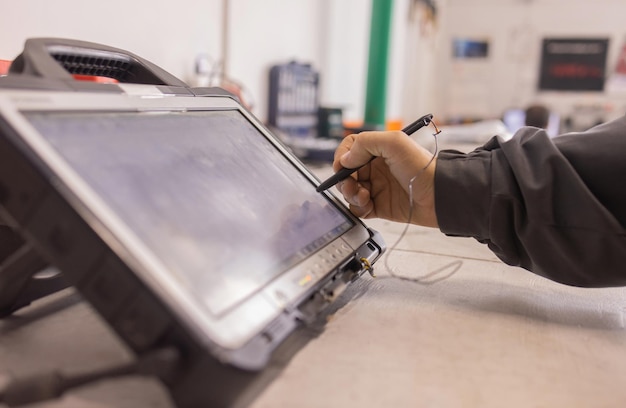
(169, 34)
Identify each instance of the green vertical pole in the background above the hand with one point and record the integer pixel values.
(376, 92)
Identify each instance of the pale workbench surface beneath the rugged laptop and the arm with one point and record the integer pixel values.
(487, 336)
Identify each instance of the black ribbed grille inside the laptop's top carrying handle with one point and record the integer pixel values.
(118, 69)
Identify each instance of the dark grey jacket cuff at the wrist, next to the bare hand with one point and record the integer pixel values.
(463, 193)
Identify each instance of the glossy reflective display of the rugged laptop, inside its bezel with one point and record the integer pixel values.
(213, 199)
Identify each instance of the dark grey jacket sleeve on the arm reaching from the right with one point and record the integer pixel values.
(556, 207)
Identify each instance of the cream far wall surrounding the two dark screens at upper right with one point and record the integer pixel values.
(515, 29)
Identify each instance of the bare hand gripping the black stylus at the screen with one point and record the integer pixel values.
(380, 189)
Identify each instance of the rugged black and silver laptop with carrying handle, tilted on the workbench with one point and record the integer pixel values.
(173, 211)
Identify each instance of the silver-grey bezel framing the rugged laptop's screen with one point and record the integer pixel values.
(232, 330)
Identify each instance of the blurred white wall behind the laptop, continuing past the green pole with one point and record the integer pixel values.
(333, 35)
